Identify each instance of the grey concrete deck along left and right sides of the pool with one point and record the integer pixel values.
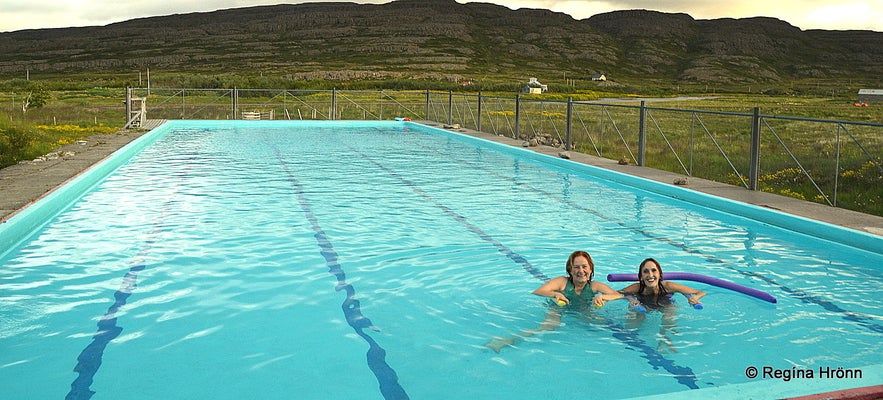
(29, 181)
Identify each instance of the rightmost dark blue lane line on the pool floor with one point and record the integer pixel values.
(858, 318)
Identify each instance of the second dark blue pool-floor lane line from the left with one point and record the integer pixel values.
(376, 356)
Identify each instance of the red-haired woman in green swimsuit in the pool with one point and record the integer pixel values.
(576, 290)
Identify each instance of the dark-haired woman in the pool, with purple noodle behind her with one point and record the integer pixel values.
(652, 293)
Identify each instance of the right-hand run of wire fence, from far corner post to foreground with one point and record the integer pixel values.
(826, 161)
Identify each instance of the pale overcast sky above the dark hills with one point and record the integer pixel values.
(804, 14)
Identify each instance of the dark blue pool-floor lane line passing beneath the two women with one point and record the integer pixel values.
(684, 375)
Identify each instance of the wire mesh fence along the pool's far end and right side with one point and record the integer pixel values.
(827, 161)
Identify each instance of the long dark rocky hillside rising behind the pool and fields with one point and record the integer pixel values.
(443, 39)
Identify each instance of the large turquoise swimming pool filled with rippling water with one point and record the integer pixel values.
(375, 260)
